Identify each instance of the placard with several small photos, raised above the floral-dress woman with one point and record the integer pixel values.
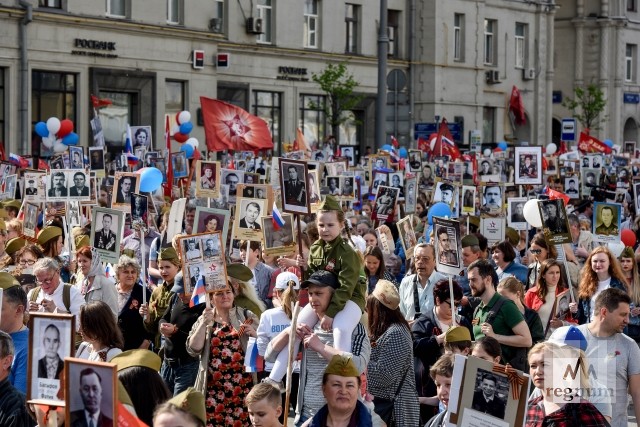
(203, 261)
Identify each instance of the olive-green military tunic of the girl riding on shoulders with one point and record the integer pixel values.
(341, 259)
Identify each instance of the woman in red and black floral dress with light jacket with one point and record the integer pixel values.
(219, 337)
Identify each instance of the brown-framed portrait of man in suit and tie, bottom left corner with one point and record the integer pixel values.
(91, 389)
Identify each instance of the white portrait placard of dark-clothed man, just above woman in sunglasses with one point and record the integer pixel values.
(106, 232)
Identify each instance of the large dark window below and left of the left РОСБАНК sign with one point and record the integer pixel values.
(53, 95)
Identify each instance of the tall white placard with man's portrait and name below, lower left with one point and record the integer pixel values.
(51, 340)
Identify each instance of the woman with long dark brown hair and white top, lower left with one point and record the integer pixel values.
(102, 339)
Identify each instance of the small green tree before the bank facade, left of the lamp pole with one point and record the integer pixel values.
(339, 86)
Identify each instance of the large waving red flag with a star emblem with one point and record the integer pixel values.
(228, 127)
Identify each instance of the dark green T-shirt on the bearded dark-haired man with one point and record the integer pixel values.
(503, 323)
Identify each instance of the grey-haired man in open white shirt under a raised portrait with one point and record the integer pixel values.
(424, 280)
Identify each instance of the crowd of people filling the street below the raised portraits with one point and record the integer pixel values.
(352, 329)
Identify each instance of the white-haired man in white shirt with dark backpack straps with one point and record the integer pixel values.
(51, 295)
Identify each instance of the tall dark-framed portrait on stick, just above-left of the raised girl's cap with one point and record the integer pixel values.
(293, 182)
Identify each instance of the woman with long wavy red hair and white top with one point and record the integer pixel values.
(601, 271)
